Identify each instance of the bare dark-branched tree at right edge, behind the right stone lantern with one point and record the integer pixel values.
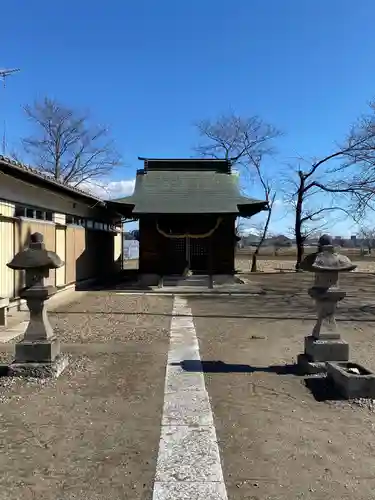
(348, 175)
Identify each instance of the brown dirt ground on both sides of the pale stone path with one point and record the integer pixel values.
(94, 433)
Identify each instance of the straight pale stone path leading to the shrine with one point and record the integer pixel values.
(188, 465)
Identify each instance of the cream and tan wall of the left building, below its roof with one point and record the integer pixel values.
(83, 250)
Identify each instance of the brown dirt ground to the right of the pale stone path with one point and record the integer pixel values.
(278, 439)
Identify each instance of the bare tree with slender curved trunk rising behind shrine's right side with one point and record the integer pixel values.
(245, 142)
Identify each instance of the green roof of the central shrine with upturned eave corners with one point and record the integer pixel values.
(188, 192)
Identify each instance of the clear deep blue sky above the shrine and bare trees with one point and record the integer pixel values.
(150, 69)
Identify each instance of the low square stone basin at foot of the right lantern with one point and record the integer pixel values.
(352, 385)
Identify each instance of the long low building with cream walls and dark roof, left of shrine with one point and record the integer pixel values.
(84, 242)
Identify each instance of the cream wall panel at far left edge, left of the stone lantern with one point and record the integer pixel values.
(6, 255)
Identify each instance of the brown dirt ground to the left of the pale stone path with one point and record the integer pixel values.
(94, 432)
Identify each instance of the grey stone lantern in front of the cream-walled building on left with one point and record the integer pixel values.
(38, 354)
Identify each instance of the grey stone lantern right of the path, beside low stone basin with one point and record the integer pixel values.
(325, 343)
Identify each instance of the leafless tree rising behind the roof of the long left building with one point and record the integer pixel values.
(66, 146)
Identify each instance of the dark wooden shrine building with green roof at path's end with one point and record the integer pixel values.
(187, 211)
